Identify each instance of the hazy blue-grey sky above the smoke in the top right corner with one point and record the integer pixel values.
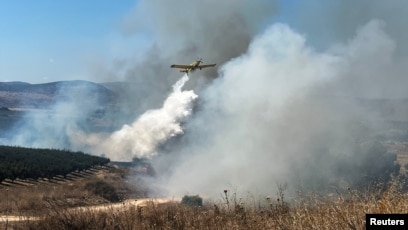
(328, 21)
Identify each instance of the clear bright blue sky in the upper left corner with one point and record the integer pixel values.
(46, 40)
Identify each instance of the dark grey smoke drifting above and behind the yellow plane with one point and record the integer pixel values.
(182, 31)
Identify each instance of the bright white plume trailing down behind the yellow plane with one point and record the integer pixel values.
(146, 133)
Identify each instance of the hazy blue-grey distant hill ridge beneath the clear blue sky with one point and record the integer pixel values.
(26, 95)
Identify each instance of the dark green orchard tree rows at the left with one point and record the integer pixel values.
(31, 163)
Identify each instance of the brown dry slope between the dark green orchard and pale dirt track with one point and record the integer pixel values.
(29, 197)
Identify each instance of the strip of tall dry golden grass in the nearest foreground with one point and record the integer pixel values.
(306, 212)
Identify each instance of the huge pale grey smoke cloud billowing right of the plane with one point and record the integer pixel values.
(284, 112)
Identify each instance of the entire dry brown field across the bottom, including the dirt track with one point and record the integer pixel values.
(69, 204)
